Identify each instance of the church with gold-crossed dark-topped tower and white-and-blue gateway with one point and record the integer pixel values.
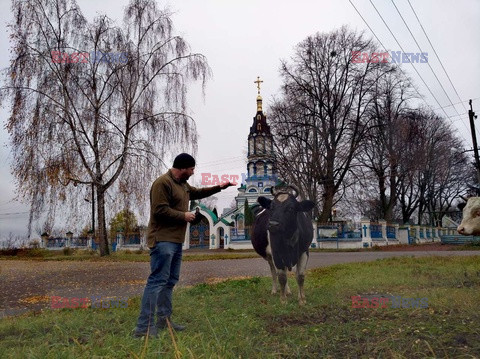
(229, 230)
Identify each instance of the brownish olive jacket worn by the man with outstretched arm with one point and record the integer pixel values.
(169, 200)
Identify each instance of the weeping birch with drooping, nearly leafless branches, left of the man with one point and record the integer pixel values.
(108, 122)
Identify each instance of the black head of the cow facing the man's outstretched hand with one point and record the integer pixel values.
(283, 212)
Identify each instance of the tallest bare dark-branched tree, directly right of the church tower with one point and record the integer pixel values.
(325, 96)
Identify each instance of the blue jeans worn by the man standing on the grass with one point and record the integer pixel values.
(165, 262)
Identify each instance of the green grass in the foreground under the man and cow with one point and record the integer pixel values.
(241, 319)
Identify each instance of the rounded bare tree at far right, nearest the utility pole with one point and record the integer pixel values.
(434, 167)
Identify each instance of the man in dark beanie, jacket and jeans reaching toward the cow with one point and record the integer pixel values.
(169, 203)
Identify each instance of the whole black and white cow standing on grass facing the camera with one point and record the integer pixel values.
(282, 233)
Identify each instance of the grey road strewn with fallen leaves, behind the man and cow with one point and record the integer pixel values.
(29, 285)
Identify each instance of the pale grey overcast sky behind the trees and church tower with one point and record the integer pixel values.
(245, 39)
